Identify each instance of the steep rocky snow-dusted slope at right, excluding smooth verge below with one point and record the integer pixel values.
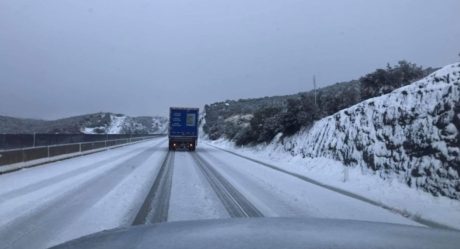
(411, 134)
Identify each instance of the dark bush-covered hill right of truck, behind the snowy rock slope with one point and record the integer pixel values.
(259, 120)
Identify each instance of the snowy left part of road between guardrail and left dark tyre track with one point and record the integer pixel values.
(44, 215)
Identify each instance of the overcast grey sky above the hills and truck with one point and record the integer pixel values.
(60, 58)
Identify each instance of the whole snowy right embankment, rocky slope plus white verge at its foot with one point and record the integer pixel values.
(400, 149)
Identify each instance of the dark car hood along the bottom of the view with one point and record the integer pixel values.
(270, 233)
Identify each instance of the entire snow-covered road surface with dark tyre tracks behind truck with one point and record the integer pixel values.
(144, 183)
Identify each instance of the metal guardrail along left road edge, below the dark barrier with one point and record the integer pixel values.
(13, 156)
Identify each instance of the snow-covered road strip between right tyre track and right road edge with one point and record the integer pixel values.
(294, 197)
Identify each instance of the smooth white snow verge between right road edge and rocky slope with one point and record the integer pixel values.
(414, 203)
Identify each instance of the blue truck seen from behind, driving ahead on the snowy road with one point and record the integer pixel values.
(183, 128)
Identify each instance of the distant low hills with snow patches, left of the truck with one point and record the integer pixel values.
(97, 123)
